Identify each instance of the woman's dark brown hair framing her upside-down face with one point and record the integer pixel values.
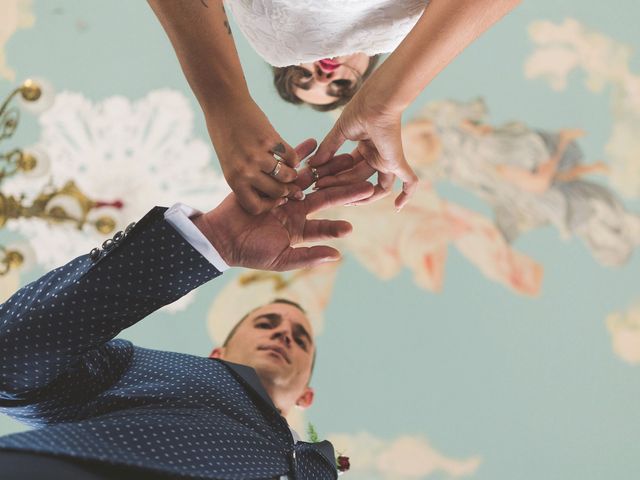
(287, 79)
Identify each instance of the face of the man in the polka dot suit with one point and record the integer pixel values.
(277, 341)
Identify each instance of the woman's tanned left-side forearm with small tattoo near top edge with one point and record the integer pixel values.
(200, 34)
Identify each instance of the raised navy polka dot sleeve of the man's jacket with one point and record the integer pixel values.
(56, 324)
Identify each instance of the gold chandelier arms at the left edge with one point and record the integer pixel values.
(67, 204)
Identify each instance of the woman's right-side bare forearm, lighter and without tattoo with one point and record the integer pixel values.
(445, 29)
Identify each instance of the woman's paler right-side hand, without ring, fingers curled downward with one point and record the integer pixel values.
(376, 128)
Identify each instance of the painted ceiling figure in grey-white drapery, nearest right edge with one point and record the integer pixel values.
(530, 177)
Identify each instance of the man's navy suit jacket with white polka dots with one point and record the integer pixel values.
(91, 397)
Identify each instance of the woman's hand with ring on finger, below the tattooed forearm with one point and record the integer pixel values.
(245, 142)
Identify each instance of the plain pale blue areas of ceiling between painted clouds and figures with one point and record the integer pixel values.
(531, 385)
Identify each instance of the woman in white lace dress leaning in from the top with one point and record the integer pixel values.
(323, 51)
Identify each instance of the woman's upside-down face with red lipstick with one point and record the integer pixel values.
(322, 80)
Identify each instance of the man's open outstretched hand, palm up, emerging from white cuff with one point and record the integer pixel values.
(268, 241)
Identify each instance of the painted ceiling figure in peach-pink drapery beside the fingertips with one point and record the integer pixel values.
(420, 238)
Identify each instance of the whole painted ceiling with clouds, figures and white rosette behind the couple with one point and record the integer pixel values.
(529, 194)
